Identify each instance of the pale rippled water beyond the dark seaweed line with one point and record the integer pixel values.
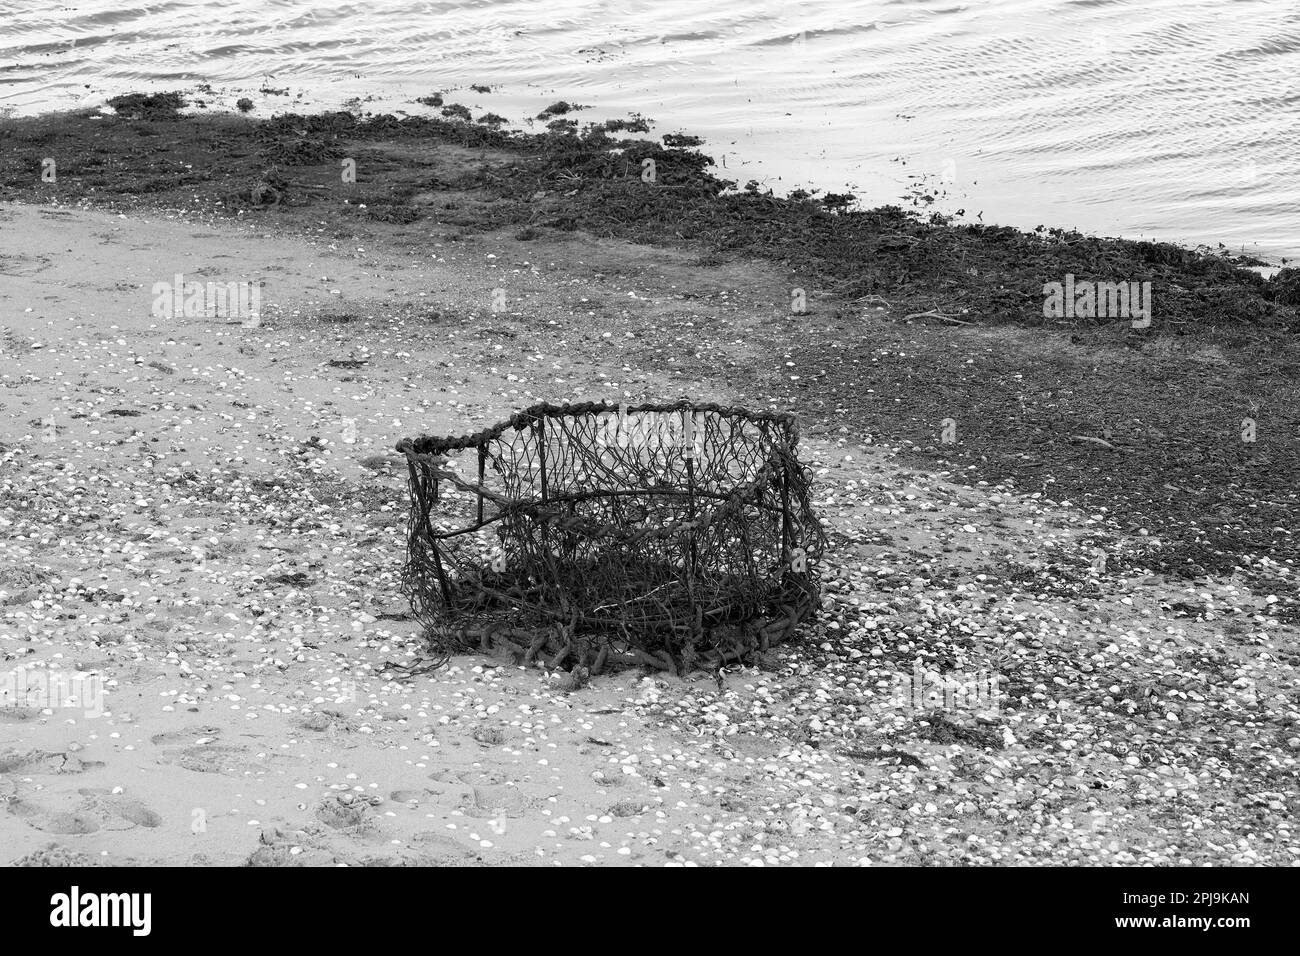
(1176, 120)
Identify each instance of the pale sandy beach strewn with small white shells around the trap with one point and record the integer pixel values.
(206, 520)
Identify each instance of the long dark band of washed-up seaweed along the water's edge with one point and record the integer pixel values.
(601, 181)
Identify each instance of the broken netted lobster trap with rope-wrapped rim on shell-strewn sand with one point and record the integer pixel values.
(674, 535)
